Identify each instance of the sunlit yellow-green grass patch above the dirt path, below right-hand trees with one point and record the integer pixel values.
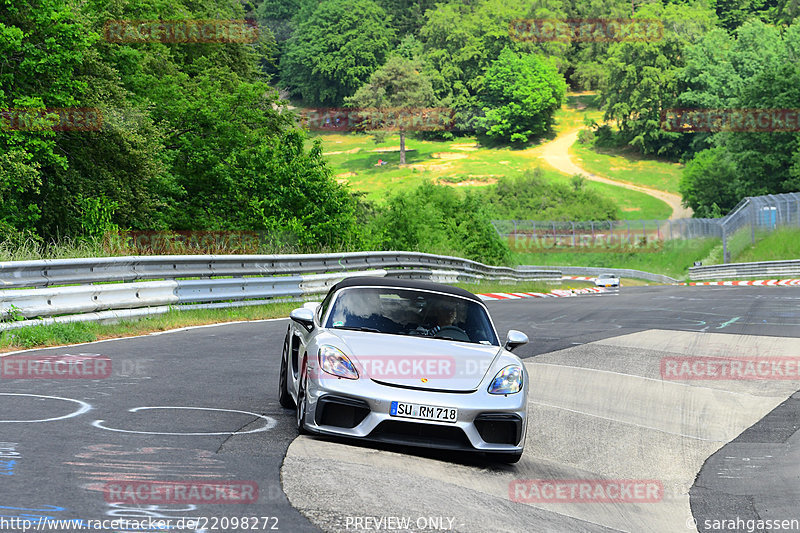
(627, 166)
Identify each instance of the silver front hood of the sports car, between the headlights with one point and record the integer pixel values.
(418, 362)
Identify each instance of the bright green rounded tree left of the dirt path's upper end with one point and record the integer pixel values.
(519, 97)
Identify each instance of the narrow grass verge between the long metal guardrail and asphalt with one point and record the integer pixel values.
(79, 332)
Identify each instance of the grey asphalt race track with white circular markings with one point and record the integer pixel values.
(200, 405)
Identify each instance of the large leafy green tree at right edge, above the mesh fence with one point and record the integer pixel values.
(756, 70)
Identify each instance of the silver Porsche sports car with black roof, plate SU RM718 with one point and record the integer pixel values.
(405, 362)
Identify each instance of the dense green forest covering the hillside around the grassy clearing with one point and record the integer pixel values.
(199, 135)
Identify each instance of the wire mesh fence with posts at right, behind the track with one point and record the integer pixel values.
(749, 220)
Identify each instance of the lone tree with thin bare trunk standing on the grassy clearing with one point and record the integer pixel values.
(398, 84)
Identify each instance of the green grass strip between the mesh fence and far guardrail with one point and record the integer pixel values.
(673, 260)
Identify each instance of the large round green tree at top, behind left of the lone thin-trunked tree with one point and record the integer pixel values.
(334, 51)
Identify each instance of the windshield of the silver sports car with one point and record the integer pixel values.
(411, 312)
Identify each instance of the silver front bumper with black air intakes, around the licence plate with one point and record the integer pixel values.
(360, 409)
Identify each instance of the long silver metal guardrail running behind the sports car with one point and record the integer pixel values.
(100, 295)
